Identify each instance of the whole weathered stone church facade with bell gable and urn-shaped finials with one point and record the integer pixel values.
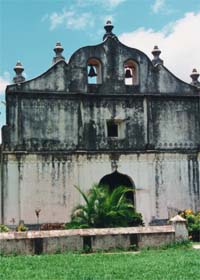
(109, 115)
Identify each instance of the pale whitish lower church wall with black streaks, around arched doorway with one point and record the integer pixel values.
(163, 181)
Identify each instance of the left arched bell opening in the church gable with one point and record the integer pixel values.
(94, 71)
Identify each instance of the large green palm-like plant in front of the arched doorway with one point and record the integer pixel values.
(103, 208)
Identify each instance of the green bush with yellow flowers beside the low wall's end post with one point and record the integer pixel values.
(193, 223)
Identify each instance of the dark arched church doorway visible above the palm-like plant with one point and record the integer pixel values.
(117, 179)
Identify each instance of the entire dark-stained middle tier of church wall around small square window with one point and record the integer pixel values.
(78, 122)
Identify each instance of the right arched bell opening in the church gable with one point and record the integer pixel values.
(131, 73)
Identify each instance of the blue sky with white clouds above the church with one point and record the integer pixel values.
(29, 30)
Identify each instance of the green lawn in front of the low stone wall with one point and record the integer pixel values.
(172, 264)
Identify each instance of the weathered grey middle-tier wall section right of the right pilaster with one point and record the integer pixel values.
(174, 123)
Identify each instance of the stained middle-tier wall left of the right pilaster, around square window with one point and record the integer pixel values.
(74, 123)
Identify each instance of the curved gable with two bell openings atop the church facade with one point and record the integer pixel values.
(112, 56)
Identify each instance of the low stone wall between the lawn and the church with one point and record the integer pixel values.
(38, 242)
